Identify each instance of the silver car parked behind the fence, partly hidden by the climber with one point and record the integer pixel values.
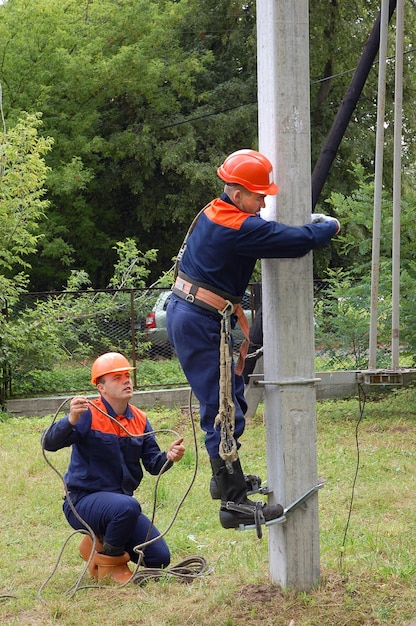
(155, 325)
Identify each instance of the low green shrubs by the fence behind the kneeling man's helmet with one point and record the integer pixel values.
(77, 323)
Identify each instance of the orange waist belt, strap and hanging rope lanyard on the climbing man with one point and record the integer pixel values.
(224, 304)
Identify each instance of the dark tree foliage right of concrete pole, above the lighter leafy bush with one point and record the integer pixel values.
(339, 32)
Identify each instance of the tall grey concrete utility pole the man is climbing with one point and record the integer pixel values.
(284, 136)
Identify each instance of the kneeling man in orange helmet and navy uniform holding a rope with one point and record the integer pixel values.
(109, 447)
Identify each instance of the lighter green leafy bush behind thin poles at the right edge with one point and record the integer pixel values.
(346, 314)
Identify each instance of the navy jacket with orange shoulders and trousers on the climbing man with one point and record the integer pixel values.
(221, 252)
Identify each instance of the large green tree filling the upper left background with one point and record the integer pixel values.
(116, 74)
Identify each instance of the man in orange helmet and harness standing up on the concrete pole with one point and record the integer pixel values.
(214, 267)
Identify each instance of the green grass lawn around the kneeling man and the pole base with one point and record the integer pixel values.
(373, 584)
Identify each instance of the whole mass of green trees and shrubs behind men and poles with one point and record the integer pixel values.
(115, 116)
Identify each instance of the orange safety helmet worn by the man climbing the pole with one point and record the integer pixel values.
(250, 169)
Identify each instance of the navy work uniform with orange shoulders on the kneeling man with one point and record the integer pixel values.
(105, 469)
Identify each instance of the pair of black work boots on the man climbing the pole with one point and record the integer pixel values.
(236, 508)
